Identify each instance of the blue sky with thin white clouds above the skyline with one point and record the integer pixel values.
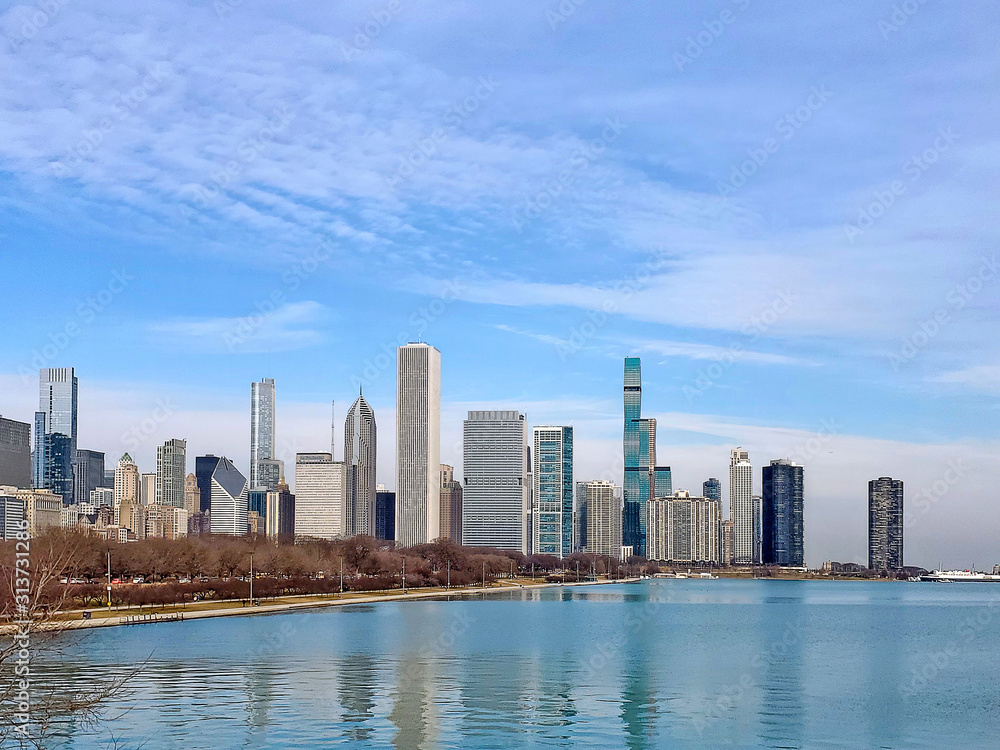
(772, 207)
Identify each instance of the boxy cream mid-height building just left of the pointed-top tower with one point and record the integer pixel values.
(319, 496)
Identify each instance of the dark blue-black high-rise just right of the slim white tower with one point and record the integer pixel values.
(781, 514)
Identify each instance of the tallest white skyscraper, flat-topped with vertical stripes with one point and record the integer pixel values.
(418, 444)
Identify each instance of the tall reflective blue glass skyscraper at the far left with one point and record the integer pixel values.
(55, 431)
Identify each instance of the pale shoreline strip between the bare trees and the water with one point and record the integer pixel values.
(180, 614)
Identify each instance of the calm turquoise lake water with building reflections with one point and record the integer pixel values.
(659, 664)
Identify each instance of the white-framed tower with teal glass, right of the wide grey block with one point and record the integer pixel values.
(552, 492)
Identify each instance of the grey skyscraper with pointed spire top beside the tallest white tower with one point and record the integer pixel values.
(359, 464)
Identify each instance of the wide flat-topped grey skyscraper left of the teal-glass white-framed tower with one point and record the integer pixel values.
(495, 494)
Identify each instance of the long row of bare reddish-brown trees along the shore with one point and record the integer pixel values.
(218, 568)
